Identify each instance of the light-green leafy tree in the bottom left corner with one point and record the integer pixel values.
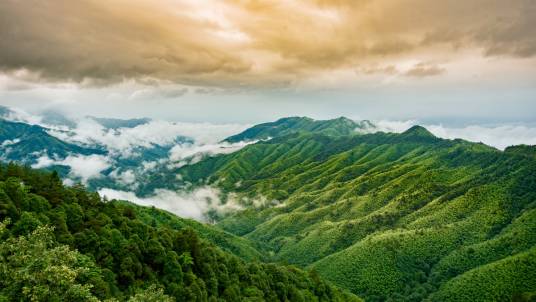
(35, 268)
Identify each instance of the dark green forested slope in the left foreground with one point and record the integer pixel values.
(67, 244)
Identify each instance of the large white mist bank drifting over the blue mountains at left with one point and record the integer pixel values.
(168, 145)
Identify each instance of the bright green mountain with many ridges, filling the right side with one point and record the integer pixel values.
(404, 216)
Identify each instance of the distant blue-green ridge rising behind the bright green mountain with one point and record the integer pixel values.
(288, 125)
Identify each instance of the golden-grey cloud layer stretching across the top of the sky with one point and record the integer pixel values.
(237, 44)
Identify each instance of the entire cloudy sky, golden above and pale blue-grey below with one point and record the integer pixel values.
(459, 63)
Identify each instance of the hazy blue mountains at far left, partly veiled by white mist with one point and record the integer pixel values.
(28, 144)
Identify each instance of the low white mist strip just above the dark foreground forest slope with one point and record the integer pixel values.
(194, 204)
